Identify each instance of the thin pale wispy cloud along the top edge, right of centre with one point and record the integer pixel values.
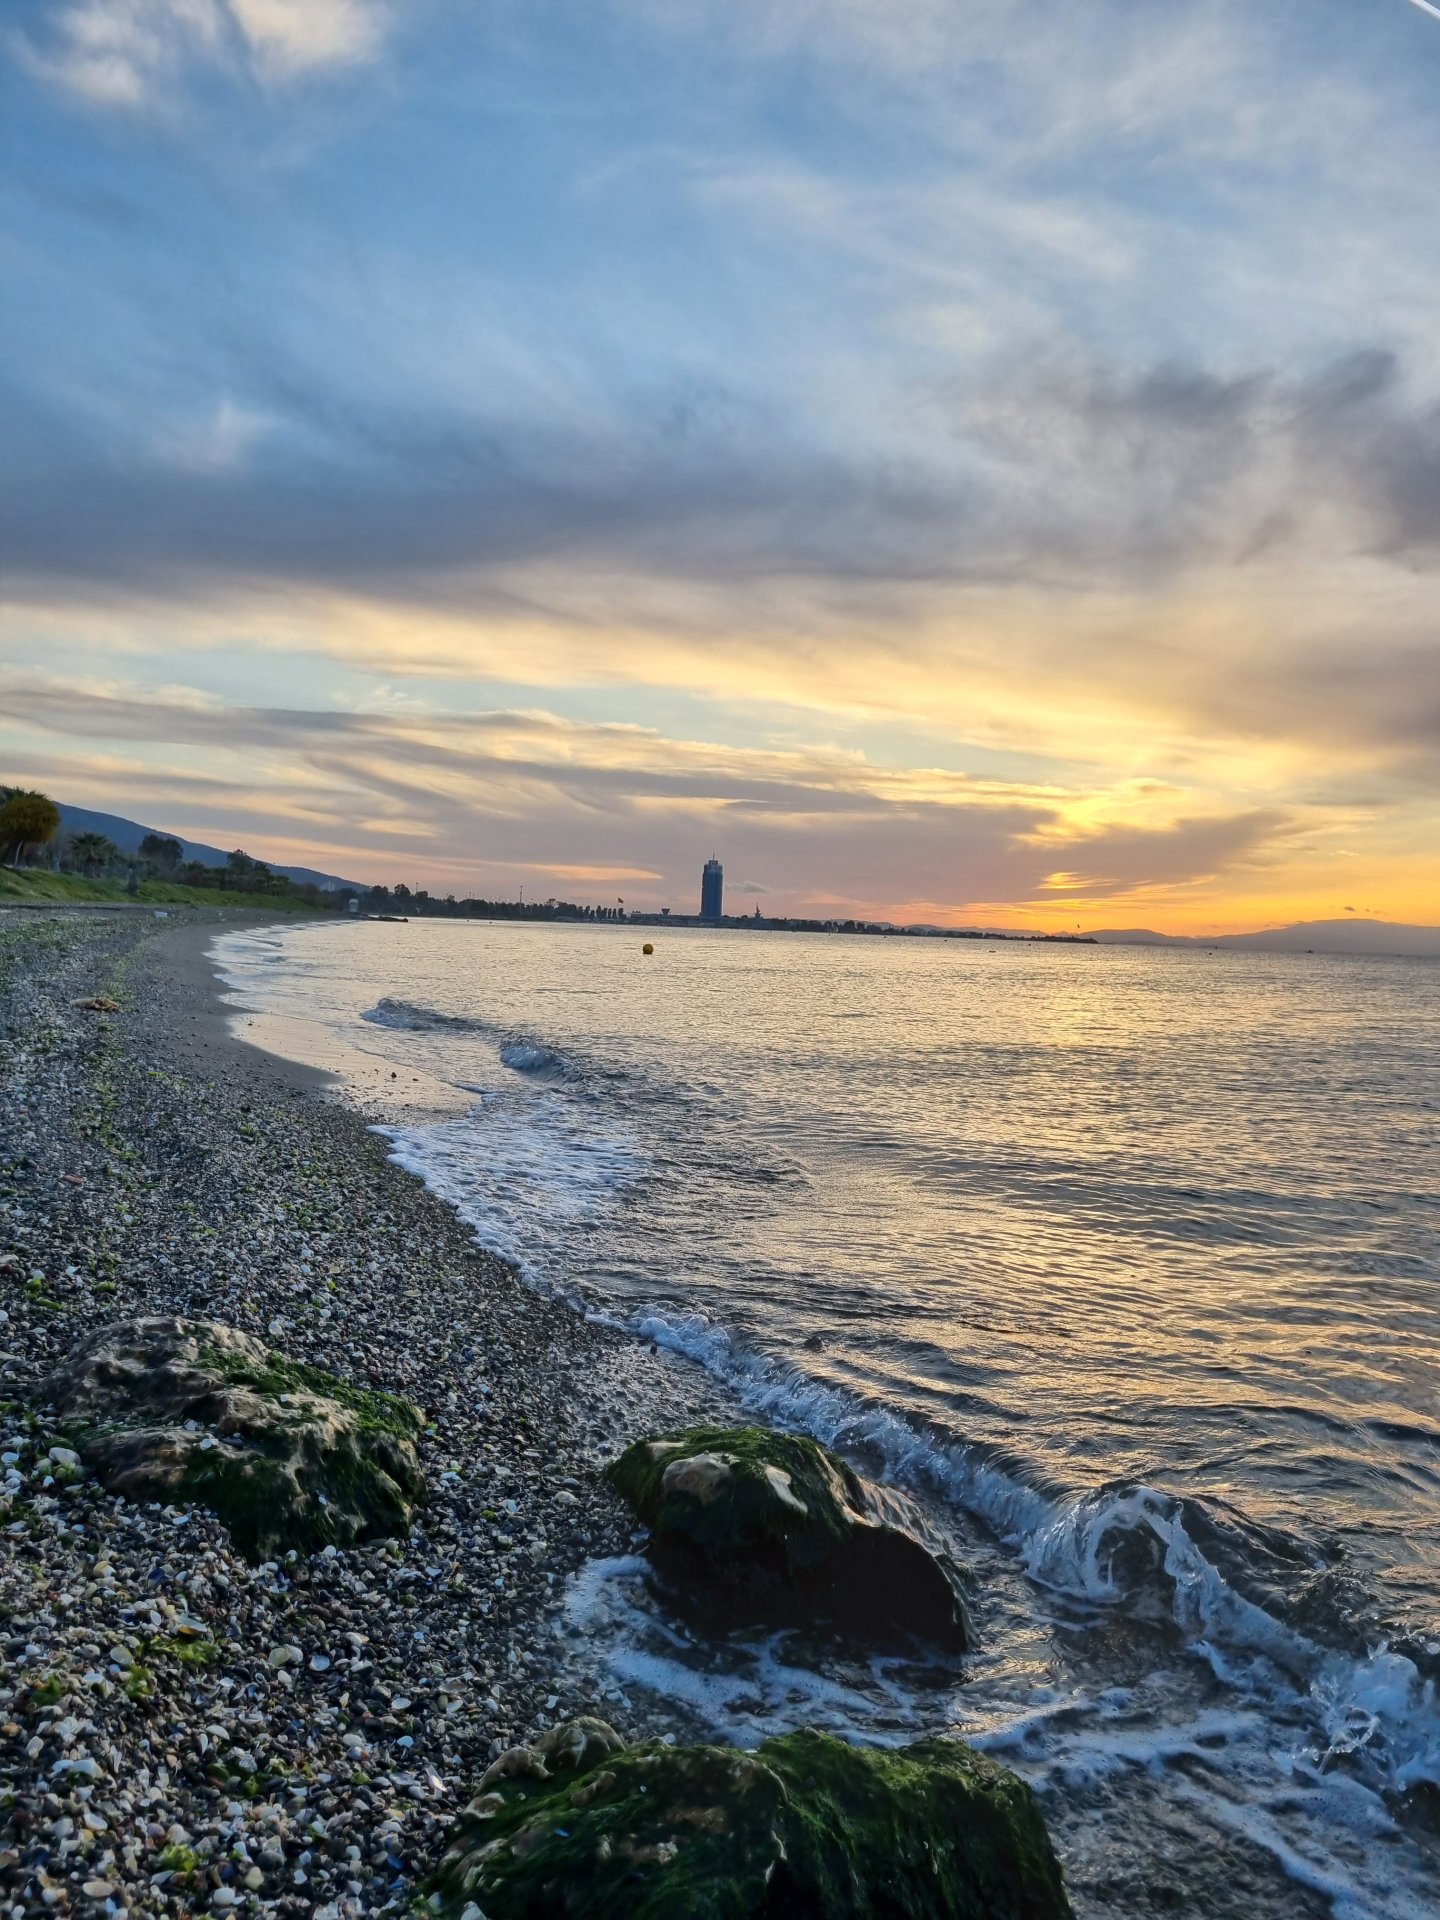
(1049, 84)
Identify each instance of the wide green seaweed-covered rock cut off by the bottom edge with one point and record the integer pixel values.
(805, 1829)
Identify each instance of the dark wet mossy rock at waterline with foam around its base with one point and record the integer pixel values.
(777, 1527)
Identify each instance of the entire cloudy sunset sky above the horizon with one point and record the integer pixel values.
(953, 460)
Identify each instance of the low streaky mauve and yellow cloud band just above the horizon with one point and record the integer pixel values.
(492, 792)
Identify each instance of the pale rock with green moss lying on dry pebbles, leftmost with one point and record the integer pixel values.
(289, 1456)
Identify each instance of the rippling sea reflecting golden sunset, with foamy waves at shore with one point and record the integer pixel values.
(1122, 1262)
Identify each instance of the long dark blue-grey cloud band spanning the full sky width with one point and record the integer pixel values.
(1036, 469)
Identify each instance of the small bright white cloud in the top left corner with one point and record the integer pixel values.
(141, 53)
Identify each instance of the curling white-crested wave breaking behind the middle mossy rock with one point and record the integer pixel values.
(1124, 1548)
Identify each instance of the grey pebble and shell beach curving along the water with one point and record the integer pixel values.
(155, 1163)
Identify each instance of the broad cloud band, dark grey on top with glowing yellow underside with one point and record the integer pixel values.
(1080, 560)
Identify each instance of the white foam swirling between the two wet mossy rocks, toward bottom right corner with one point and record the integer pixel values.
(1220, 1764)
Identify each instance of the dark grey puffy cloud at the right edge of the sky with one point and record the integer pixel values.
(1130, 475)
